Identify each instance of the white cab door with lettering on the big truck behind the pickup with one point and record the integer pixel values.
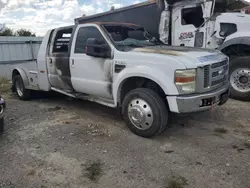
(185, 23)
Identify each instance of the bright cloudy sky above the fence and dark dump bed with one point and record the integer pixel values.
(41, 15)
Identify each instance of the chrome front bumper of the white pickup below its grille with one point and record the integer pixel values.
(198, 102)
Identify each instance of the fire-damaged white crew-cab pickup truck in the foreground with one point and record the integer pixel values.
(121, 65)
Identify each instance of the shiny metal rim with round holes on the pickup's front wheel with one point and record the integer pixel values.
(140, 114)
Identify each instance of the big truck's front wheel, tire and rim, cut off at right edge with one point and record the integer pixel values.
(240, 78)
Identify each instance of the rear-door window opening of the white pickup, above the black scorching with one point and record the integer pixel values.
(62, 40)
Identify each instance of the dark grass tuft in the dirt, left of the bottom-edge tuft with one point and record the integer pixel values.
(94, 170)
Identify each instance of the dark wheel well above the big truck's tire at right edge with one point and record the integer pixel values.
(237, 50)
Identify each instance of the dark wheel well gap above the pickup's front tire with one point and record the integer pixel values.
(139, 82)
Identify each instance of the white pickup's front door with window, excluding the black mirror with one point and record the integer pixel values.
(90, 75)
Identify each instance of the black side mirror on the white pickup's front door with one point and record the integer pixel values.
(97, 48)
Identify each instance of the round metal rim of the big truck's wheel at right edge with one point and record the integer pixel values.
(240, 80)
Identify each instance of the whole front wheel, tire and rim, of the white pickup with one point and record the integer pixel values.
(144, 112)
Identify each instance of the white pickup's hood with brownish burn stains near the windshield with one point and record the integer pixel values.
(190, 57)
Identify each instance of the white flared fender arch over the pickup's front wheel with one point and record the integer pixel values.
(156, 75)
